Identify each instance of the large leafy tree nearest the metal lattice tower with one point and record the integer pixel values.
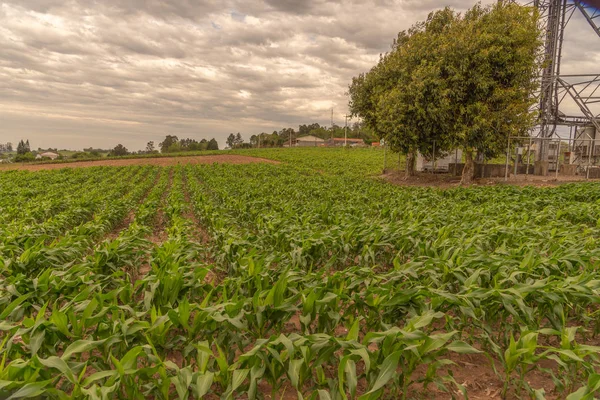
(492, 64)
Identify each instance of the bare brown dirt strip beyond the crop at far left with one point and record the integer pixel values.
(162, 161)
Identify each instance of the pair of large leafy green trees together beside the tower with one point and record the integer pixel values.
(455, 81)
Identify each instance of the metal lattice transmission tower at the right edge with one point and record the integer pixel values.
(565, 100)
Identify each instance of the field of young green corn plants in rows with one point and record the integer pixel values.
(300, 279)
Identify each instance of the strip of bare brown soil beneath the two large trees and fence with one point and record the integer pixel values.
(447, 181)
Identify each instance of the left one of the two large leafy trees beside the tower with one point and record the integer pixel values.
(400, 97)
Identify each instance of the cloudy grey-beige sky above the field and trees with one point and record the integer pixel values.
(79, 73)
